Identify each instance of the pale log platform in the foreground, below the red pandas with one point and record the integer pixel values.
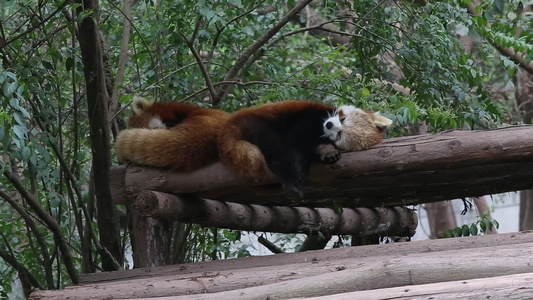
(478, 266)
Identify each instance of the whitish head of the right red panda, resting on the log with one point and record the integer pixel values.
(352, 129)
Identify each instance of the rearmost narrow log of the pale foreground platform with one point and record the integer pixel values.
(356, 253)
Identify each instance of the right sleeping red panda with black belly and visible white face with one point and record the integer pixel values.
(283, 138)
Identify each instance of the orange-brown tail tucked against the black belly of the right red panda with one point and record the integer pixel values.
(240, 156)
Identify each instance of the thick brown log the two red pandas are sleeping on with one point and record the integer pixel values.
(408, 170)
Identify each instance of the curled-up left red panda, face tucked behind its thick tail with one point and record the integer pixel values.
(171, 135)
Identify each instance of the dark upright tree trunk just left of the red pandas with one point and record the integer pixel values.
(98, 100)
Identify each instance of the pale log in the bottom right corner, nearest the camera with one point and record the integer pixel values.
(500, 287)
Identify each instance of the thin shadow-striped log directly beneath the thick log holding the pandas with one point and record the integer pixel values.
(399, 221)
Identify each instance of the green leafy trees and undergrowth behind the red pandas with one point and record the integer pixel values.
(448, 64)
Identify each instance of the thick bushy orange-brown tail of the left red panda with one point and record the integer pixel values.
(184, 149)
